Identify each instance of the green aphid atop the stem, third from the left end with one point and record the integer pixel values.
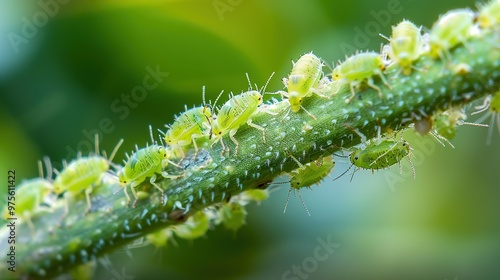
(144, 163)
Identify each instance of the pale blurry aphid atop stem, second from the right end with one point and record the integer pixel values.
(450, 30)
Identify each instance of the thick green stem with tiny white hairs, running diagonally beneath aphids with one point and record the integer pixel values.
(212, 178)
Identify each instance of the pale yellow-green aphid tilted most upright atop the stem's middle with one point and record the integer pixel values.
(303, 81)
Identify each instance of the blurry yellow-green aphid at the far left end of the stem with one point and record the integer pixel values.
(29, 196)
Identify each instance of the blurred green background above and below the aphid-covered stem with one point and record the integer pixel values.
(72, 73)
